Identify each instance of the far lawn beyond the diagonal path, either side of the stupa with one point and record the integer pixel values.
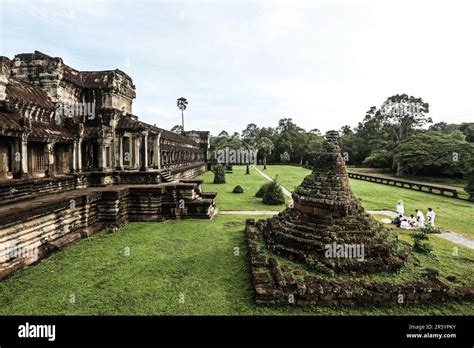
(451, 214)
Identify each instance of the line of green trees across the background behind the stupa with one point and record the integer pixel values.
(398, 136)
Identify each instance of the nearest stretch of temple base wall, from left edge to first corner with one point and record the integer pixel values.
(32, 234)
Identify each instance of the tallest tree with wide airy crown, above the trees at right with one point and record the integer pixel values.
(401, 114)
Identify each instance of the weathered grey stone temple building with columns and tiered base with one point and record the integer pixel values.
(75, 159)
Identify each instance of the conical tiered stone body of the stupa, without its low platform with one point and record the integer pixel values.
(328, 227)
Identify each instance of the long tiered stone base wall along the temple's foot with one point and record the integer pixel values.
(32, 230)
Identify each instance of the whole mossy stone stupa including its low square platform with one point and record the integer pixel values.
(324, 248)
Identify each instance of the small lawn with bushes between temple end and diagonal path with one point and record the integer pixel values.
(226, 200)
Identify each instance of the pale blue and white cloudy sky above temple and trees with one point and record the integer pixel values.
(322, 63)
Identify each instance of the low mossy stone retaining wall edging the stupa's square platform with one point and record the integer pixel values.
(277, 283)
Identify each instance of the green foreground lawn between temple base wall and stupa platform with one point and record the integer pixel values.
(191, 260)
